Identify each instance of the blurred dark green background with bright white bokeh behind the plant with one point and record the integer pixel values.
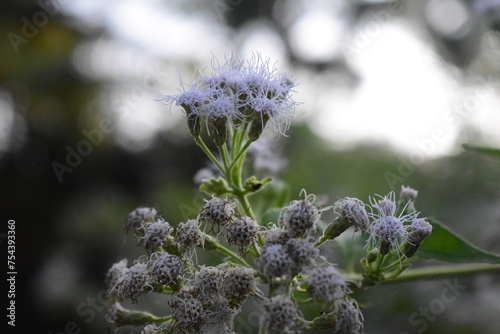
(389, 90)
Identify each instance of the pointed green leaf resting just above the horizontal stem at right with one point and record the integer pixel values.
(444, 245)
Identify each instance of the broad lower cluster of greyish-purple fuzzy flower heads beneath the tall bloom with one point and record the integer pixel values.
(207, 298)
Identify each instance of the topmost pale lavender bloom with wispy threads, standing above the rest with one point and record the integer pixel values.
(237, 92)
